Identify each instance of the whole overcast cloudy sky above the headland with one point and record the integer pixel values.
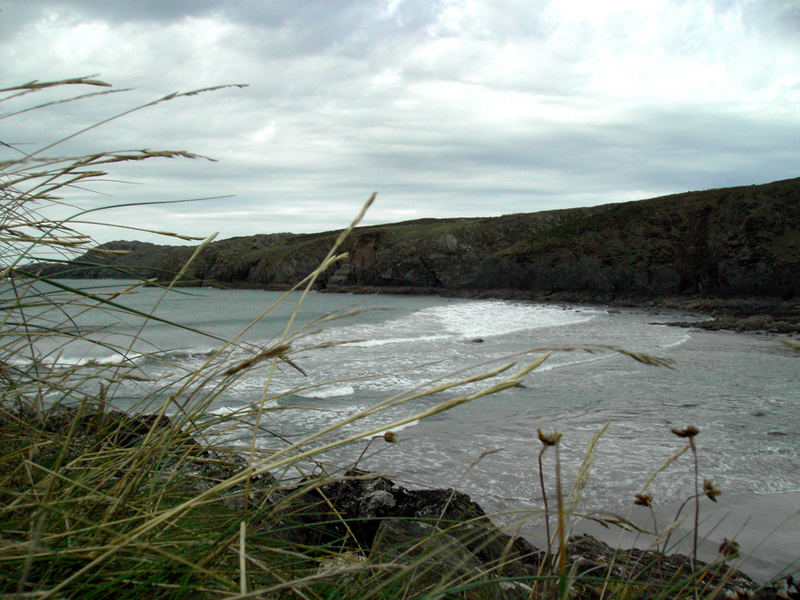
(445, 108)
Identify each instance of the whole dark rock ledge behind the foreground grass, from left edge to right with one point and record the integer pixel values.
(449, 538)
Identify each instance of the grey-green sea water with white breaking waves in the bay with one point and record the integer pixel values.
(740, 390)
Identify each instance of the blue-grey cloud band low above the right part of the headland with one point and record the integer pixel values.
(649, 151)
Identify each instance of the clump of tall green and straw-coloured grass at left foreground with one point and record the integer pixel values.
(134, 509)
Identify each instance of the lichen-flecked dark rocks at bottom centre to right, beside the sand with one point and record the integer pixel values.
(448, 538)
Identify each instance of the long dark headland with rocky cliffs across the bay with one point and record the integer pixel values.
(727, 242)
